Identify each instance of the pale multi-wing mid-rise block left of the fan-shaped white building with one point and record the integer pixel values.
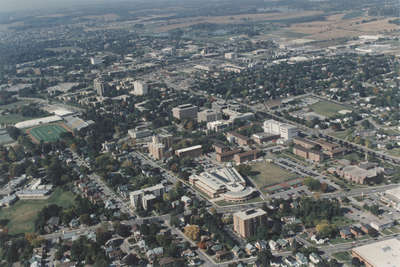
(146, 196)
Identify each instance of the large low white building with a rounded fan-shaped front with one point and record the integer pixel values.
(226, 183)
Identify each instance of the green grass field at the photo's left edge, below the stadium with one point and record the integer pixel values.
(22, 214)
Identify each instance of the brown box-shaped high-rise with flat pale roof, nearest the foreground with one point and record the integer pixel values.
(245, 223)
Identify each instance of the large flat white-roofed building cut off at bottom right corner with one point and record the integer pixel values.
(379, 254)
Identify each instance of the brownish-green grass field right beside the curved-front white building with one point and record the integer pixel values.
(269, 174)
